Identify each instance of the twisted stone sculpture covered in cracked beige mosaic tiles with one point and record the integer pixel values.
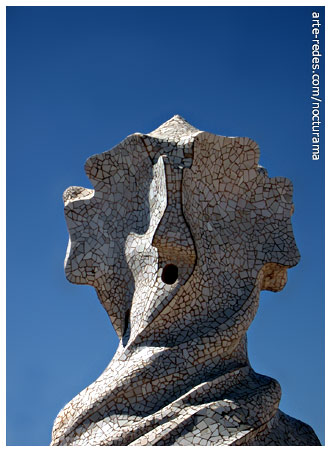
(181, 232)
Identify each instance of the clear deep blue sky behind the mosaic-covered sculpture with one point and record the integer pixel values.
(79, 80)
